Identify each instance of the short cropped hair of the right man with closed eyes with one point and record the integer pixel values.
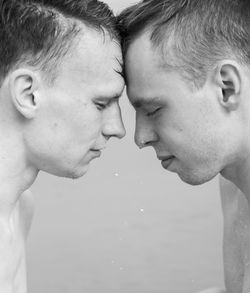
(192, 35)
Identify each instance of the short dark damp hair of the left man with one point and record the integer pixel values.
(40, 32)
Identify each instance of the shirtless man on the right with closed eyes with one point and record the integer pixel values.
(187, 66)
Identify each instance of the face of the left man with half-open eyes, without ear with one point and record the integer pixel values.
(80, 111)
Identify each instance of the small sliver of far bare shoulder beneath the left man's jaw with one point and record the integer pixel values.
(26, 205)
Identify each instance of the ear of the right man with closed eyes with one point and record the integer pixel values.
(228, 77)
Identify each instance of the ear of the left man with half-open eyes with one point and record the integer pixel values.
(23, 84)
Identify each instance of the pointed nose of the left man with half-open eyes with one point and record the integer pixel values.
(113, 126)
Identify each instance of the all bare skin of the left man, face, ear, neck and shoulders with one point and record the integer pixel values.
(58, 128)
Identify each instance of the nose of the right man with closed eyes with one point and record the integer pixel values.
(144, 133)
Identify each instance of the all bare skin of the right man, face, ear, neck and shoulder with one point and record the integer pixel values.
(197, 134)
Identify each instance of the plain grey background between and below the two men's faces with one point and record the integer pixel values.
(127, 226)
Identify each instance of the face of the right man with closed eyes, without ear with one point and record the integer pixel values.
(184, 125)
